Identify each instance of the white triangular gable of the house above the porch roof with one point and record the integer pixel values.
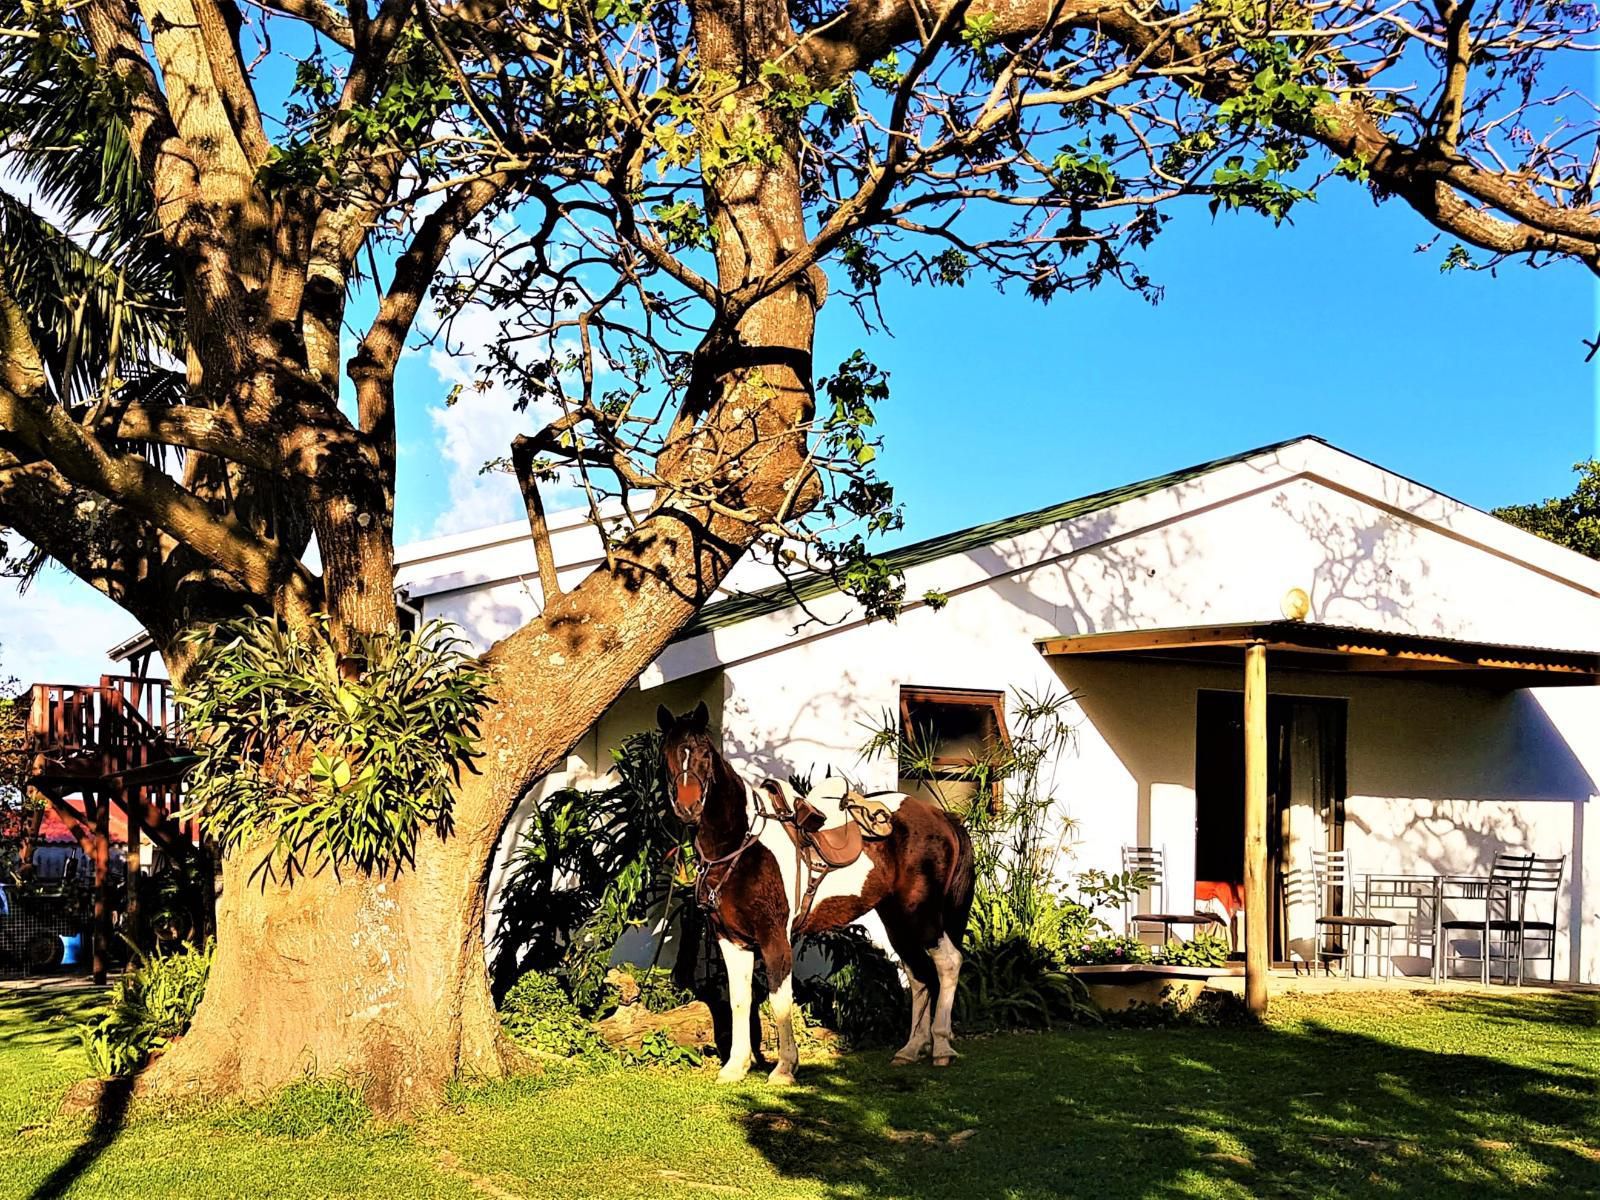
(1225, 540)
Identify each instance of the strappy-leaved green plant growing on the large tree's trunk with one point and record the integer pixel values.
(337, 770)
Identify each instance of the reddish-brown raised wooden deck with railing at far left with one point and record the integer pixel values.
(113, 743)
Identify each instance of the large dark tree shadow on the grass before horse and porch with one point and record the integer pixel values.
(1284, 1111)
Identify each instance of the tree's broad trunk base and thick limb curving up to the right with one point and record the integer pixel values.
(382, 982)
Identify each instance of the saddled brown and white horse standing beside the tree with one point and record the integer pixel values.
(919, 879)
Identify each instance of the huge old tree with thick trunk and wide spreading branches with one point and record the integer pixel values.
(652, 201)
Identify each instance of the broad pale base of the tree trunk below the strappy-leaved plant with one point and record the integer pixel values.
(375, 982)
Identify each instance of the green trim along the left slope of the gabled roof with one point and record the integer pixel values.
(734, 610)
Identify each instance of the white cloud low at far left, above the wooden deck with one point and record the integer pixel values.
(60, 631)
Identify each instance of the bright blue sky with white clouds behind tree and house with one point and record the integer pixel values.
(1470, 383)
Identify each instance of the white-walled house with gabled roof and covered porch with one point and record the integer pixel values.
(1430, 671)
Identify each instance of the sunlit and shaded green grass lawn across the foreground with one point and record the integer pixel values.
(1394, 1095)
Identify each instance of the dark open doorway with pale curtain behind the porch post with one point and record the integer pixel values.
(1306, 790)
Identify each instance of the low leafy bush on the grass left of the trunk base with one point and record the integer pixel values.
(150, 1007)
